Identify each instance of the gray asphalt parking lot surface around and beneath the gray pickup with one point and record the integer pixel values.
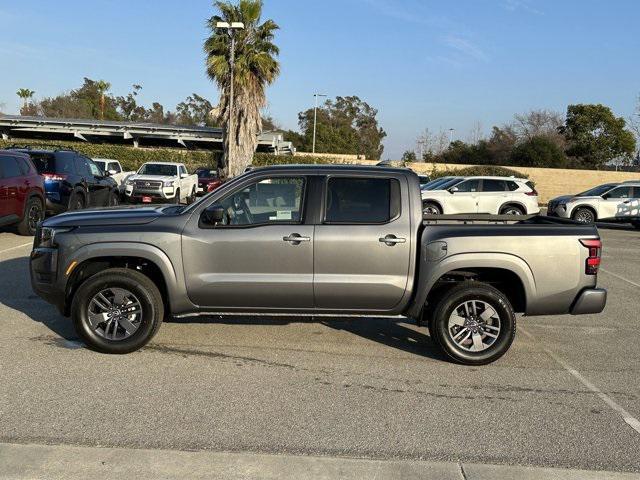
(371, 388)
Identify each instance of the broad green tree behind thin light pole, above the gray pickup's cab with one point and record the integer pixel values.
(346, 125)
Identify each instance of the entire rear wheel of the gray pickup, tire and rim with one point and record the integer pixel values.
(474, 323)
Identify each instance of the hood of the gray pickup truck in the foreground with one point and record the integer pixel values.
(130, 215)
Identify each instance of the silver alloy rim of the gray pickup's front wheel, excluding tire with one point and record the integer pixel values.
(114, 313)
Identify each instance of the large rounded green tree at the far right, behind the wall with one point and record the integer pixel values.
(595, 135)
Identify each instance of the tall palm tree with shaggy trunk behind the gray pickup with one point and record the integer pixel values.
(255, 67)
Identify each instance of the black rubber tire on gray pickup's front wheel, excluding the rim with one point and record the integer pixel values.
(152, 309)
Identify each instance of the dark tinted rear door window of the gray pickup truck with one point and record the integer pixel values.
(362, 200)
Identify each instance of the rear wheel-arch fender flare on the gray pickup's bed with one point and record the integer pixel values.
(431, 272)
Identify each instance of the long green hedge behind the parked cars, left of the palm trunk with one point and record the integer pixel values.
(130, 158)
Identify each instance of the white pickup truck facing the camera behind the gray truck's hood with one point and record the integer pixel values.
(161, 182)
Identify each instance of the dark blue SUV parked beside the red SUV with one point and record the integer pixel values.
(72, 181)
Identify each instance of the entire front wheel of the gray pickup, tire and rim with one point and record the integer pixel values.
(117, 311)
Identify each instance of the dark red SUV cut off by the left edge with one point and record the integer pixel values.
(21, 192)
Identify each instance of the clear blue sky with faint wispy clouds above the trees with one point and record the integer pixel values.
(421, 63)
